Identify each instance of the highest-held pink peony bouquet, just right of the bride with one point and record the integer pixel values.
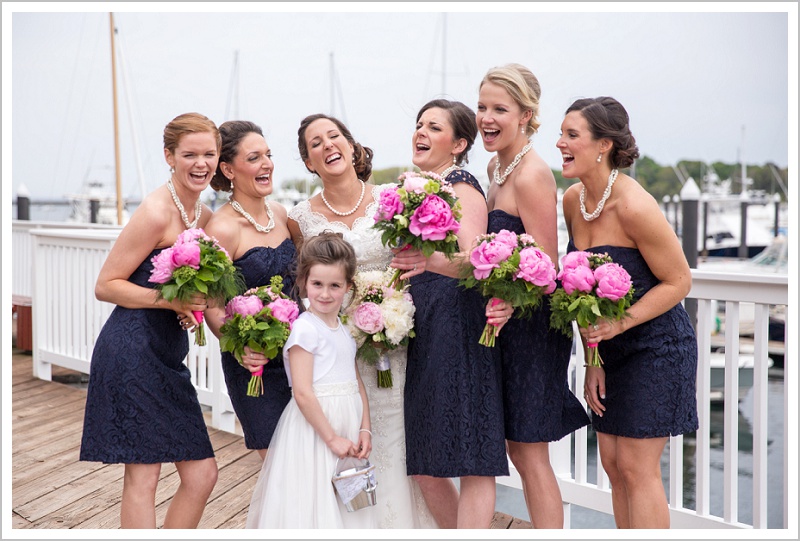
(422, 212)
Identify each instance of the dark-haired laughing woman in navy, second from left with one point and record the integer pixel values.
(254, 233)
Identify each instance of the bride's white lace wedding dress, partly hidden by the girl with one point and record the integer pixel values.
(400, 501)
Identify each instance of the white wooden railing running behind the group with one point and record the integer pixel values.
(63, 265)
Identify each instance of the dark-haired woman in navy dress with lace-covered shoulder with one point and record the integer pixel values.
(453, 395)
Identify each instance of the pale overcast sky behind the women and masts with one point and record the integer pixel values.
(698, 86)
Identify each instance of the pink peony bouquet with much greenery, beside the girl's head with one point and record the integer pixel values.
(260, 319)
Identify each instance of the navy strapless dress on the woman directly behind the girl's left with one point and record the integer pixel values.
(259, 415)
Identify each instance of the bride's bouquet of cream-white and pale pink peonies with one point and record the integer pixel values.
(380, 318)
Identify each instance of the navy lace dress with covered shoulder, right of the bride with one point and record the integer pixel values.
(453, 393)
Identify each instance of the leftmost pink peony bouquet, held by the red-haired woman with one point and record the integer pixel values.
(196, 263)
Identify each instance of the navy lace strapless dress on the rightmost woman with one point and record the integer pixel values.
(651, 369)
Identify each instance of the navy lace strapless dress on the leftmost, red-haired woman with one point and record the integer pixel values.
(141, 406)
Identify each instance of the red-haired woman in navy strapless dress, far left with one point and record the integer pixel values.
(141, 407)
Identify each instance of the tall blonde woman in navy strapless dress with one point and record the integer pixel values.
(539, 407)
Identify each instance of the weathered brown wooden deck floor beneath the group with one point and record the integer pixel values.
(52, 489)
